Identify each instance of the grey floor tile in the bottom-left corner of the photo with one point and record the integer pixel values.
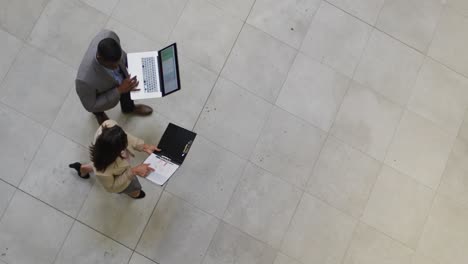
(31, 231)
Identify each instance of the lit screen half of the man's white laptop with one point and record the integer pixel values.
(169, 70)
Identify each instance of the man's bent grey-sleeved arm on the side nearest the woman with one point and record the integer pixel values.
(94, 102)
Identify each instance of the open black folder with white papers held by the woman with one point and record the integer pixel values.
(175, 145)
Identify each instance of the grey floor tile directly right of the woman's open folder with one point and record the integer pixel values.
(208, 177)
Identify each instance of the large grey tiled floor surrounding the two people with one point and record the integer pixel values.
(329, 132)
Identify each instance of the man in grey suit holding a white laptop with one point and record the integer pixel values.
(103, 80)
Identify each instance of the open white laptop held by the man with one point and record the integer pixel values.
(157, 72)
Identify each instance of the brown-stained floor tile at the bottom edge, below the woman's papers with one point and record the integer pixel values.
(185, 231)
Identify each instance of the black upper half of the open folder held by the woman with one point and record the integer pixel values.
(175, 143)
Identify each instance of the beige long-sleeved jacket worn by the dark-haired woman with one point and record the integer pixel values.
(118, 175)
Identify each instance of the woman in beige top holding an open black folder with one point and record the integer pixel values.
(110, 156)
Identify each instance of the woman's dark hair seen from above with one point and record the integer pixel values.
(108, 147)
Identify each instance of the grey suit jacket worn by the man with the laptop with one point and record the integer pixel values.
(96, 88)
